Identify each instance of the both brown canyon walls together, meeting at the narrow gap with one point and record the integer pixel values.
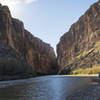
(23, 55)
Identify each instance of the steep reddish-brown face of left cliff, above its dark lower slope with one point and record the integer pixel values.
(39, 55)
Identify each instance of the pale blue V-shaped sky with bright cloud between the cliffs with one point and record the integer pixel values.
(48, 19)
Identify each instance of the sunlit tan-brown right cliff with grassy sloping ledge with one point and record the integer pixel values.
(78, 46)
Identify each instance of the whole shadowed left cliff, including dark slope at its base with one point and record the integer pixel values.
(36, 55)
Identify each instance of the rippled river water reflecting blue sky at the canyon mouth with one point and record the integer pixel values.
(42, 88)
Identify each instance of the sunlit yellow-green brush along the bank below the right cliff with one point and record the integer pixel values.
(93, 70)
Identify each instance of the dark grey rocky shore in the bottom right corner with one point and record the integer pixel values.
(89, 92)
